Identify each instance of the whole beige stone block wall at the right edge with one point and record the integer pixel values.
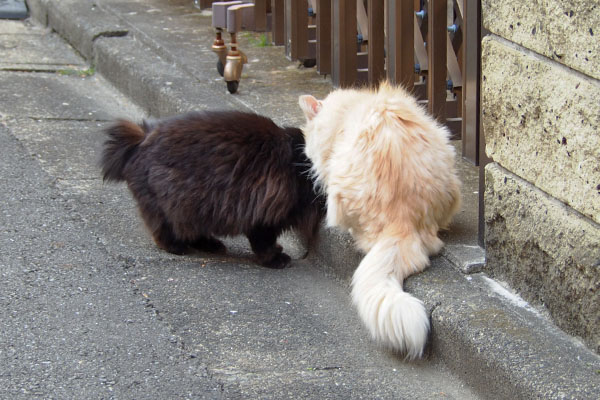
(541, 121)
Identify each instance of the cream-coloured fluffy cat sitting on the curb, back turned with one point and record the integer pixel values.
(388, 170)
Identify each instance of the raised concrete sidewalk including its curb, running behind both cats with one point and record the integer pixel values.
(157, 53)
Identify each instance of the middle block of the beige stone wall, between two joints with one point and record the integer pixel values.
(541, 122)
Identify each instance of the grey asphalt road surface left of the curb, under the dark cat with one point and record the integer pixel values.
(91, 309)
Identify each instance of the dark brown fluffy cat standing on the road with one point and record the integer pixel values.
(207, 174)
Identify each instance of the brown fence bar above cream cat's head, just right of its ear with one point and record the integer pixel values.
(343, 28)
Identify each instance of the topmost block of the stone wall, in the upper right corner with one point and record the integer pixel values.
(564, 30)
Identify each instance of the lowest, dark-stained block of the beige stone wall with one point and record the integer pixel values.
(548, 252)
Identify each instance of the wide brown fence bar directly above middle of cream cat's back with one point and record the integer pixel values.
(400, 57)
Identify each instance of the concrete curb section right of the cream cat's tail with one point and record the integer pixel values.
(505, 350)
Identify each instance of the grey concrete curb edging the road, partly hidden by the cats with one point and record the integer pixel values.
(500, 348)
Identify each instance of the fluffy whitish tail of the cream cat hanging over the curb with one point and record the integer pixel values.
(395, 318)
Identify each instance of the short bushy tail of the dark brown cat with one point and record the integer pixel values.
(123, 137)
